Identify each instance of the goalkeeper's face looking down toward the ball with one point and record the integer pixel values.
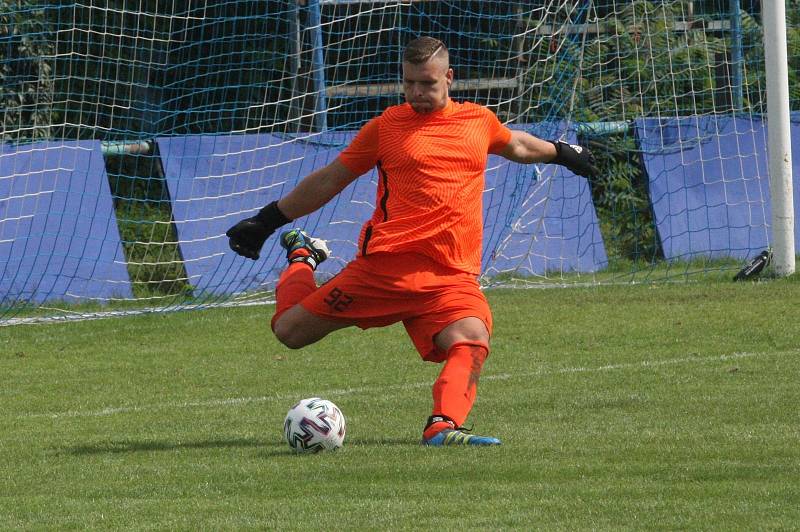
(427, 86)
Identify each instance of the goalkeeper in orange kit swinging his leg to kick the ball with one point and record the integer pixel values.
(419, 255)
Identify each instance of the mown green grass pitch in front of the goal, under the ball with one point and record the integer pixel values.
(634, 407)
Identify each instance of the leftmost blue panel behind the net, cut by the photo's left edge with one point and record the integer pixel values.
(58, 231)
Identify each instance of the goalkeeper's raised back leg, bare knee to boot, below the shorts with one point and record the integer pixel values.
(294, 326)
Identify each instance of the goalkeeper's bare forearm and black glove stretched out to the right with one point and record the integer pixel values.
(526, 149)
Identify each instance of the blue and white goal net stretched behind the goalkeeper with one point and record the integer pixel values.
(135, 132)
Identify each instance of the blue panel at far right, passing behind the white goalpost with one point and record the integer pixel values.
(709, 184)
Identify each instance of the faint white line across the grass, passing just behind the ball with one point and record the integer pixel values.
(235, 401)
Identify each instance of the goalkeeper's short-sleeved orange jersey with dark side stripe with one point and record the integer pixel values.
(430, 180)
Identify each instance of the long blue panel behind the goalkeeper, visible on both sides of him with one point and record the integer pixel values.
(215, 181)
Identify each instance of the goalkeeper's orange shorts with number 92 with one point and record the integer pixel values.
(384, 288)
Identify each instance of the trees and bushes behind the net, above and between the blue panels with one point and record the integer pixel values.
(134, 70)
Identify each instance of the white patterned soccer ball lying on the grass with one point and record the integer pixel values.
(314, 425)
